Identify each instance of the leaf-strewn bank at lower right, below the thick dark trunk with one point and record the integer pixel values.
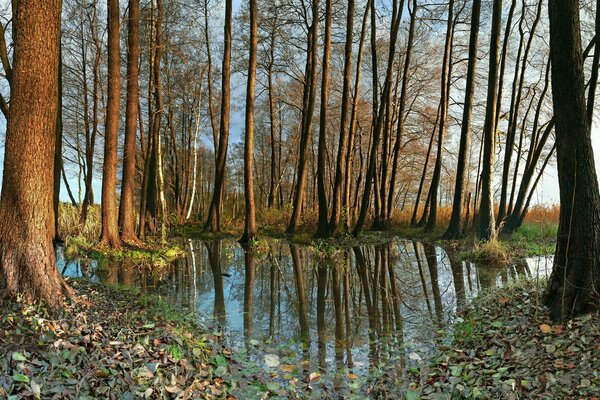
(505, 347)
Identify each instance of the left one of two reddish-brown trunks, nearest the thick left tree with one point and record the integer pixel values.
(110, 229)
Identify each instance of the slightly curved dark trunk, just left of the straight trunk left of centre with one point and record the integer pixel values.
(213, 222)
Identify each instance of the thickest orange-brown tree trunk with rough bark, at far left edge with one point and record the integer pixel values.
(27, 258)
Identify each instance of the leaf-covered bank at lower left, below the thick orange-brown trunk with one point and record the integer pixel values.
(109, 343)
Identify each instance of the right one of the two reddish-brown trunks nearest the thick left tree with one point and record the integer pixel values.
(126, 217)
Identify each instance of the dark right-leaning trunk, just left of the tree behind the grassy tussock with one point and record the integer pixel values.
(453, 231)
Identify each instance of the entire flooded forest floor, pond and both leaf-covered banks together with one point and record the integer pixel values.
(384, 317)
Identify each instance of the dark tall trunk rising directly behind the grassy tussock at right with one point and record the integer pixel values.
(487, 226)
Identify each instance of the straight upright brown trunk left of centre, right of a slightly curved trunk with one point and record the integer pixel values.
(250, 219)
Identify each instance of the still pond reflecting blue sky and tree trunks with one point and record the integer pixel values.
(329, 315)
